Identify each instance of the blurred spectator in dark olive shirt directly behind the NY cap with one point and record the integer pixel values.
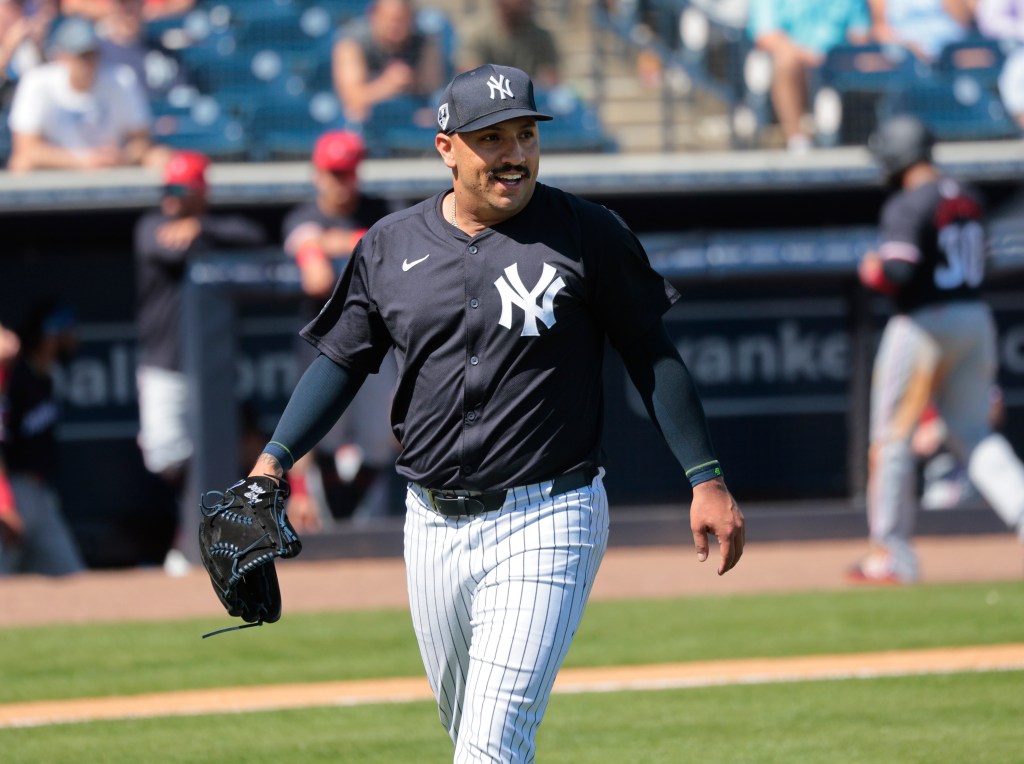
(509, 34)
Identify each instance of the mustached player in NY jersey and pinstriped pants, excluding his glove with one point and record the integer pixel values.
(497, 295)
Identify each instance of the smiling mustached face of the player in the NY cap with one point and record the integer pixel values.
(495, 169)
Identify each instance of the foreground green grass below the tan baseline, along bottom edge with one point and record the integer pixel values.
(928, 720)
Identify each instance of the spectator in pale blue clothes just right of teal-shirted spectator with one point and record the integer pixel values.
(924, 27)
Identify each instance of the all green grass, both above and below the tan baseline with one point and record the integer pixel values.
(928, 719)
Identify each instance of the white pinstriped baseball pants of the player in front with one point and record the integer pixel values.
(496, 600)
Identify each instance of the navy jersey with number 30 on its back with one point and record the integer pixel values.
(933, 244)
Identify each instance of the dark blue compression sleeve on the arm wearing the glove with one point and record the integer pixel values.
(318, 401)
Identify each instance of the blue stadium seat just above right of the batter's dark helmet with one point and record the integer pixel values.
(955, 108)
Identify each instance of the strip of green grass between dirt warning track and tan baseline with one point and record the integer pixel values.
(125, 659)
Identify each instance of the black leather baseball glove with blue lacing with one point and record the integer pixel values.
(242, 532)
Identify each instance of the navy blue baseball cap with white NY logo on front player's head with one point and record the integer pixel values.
(485, 97)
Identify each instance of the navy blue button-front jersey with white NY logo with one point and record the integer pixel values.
(499, 337)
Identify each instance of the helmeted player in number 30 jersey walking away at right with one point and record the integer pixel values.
(940, 346)
